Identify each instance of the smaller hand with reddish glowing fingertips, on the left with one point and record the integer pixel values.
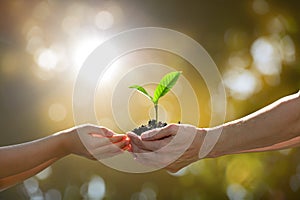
(94, 142)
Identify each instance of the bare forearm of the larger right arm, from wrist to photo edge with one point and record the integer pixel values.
(274, 127)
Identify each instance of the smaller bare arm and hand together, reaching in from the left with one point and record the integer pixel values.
(21, 161)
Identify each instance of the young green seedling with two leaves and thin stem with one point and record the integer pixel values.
(164, 86)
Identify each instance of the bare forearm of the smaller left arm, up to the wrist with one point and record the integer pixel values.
(17, 159)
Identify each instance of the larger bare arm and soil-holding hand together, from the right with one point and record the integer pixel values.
(273, 127)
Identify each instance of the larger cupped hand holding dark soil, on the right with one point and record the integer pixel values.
(172, 147)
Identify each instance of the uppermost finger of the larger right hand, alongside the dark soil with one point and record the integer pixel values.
(157, 134)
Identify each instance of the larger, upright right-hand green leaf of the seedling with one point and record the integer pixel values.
(165, 85)
